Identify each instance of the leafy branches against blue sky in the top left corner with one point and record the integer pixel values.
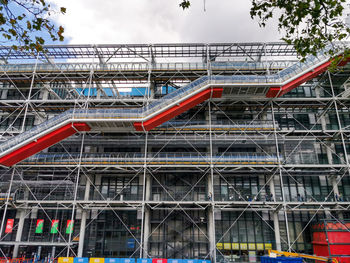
(23, 23)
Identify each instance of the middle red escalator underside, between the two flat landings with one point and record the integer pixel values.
(178, 109)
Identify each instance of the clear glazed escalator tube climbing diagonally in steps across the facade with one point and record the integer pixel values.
(139, 113)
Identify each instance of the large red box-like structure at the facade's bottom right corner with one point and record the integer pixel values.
(332, 239)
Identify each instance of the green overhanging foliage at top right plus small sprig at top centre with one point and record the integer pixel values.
(309, 25)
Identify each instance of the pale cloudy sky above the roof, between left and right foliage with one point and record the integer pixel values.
(161, 21)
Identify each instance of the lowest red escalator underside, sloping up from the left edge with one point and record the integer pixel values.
(42, 143)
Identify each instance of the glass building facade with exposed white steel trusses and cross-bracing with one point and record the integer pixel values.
(222, 177)
